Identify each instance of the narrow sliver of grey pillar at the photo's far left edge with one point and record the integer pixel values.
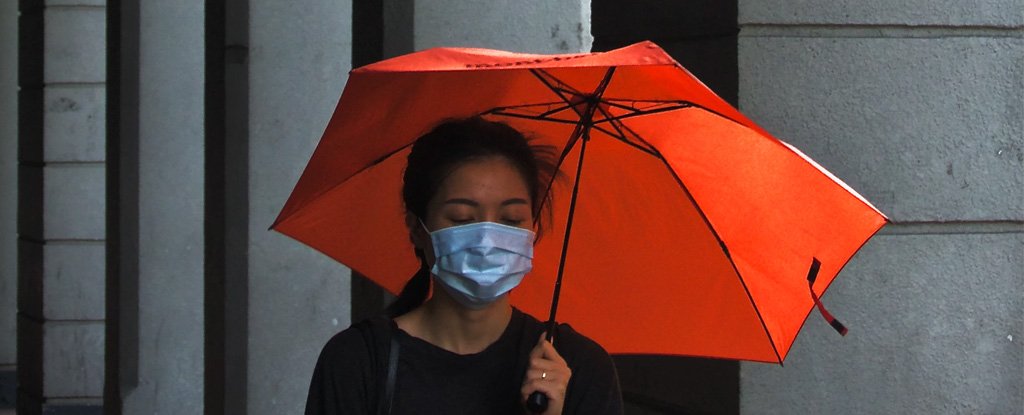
(9, 201)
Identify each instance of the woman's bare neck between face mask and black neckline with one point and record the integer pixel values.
(445, 323)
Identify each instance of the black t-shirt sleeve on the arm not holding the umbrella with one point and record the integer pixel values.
(343, 378)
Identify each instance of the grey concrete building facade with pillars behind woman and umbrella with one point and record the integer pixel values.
(146, 147)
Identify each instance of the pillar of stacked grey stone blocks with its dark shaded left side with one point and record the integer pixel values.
(62, 188)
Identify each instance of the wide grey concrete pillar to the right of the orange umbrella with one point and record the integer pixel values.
(919, 106)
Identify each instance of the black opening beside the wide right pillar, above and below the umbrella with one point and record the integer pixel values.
(702, 36)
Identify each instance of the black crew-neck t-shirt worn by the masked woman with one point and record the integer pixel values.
(349, 378)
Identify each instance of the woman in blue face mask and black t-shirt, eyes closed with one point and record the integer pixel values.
(474, 191)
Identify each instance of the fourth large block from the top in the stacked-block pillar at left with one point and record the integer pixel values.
(74, 281)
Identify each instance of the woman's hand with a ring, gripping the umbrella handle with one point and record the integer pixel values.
(549, 375)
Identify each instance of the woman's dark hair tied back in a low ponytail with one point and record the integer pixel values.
(443, 150)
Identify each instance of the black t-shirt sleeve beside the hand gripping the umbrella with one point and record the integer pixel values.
(593, 390)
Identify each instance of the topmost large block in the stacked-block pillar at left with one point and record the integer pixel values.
(75, 46)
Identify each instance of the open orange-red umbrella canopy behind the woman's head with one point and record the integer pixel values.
(694, 230)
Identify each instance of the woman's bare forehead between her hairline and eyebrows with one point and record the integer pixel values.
(492, 178)
